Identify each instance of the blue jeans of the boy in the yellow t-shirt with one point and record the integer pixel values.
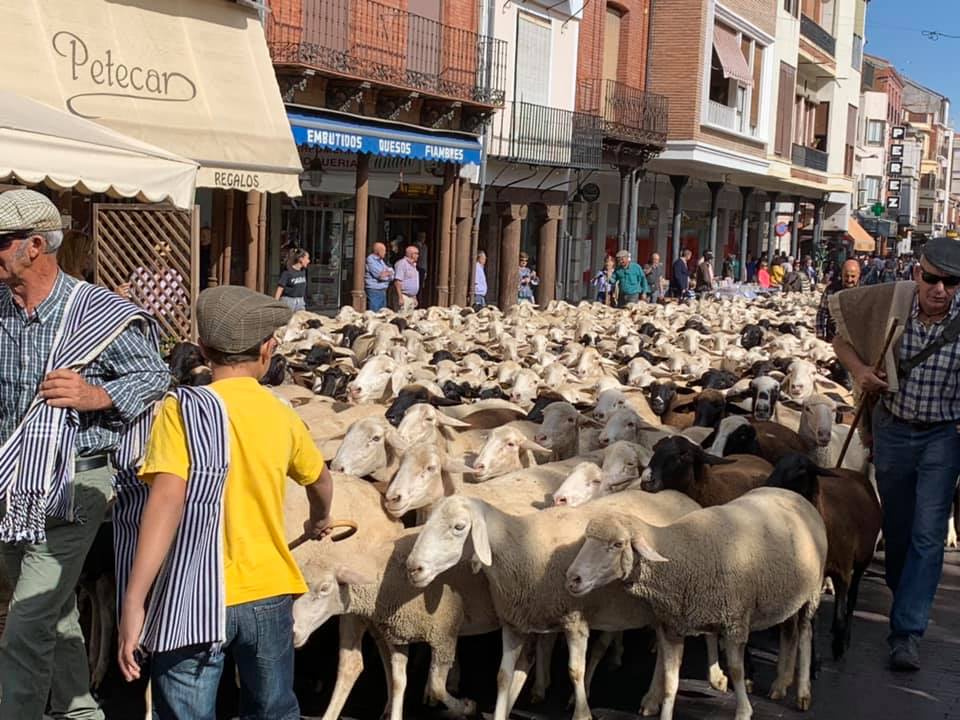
(260, 636)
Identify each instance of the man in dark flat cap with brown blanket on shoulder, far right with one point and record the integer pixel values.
(915, 423)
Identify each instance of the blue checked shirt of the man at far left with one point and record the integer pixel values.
(131, 372)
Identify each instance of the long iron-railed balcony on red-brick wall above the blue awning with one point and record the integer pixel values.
(368, 41)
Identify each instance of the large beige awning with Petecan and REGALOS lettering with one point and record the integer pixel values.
(193, 77)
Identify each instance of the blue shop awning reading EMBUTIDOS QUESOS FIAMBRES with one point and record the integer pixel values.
(353, 134)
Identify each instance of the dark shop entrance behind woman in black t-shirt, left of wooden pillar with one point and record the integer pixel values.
(328, 235)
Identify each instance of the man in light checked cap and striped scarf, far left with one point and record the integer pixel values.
(106, 374)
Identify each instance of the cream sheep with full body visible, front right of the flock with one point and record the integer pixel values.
(773, 578)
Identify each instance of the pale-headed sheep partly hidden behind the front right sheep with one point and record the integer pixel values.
(525, 560)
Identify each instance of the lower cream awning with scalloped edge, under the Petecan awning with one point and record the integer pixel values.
(39, 144)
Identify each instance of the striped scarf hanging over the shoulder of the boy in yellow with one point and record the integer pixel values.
(187, 604)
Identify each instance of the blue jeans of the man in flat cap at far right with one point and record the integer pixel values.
(917, 473)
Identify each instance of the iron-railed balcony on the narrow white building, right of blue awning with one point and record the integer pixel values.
(540, 135)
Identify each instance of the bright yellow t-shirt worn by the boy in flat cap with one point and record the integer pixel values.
(268, 442)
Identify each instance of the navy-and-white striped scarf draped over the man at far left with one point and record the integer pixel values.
(37, 460)
